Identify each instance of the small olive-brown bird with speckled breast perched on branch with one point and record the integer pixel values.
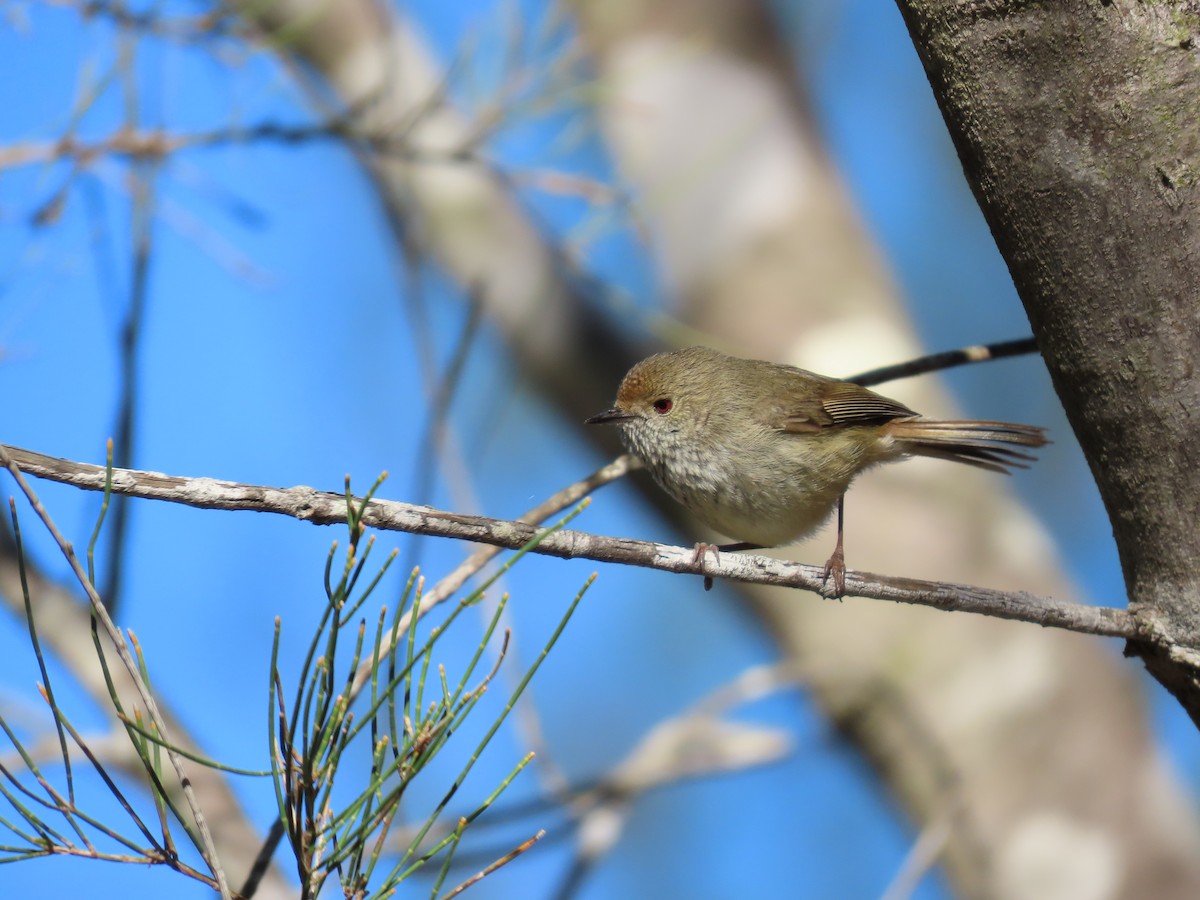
(764, 453)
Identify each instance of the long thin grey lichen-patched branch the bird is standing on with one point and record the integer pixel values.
(329, 508)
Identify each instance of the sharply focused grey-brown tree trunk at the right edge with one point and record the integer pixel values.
(1077, 128)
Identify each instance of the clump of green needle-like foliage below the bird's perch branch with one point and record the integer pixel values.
(411, 715)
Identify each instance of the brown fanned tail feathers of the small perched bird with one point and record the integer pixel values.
(987, 446)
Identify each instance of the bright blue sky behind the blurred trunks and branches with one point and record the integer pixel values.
(278, 351)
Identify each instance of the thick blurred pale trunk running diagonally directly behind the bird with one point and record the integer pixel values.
(1035, 746)
